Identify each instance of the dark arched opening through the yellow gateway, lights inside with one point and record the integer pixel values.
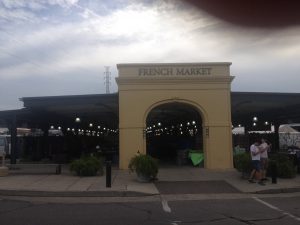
(174, 133)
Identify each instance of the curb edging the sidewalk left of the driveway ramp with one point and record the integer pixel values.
(74, 193)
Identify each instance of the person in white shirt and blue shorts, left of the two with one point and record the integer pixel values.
(255, 157)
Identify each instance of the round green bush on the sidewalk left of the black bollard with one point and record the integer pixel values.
(87, 166)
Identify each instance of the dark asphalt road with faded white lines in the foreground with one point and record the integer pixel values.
(226, 211)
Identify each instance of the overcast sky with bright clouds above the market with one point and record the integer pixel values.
(60, 47)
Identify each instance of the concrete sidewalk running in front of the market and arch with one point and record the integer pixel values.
(126, 184)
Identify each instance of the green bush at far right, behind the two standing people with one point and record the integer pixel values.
(285, 166)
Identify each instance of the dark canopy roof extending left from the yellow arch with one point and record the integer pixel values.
(62, 110)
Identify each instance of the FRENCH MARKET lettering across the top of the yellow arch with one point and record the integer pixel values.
(174, 71)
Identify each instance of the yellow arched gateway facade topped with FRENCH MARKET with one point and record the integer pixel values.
(145, 86)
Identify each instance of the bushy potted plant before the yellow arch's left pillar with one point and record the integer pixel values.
(145, 166)
